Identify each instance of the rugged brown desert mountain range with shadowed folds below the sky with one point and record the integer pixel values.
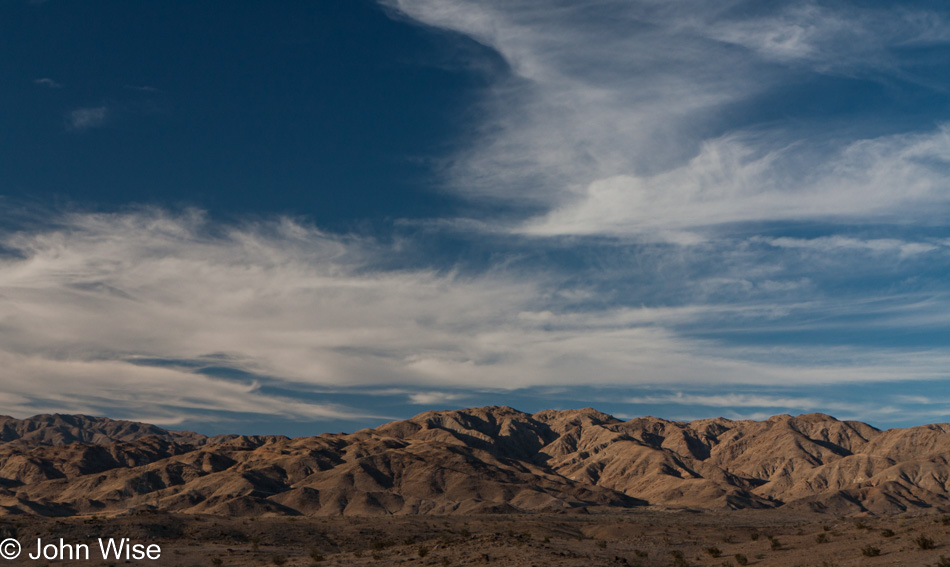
(481, 460)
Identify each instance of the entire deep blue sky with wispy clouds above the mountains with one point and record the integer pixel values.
(319, 216)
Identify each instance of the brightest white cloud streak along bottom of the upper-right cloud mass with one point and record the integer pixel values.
(729, 182)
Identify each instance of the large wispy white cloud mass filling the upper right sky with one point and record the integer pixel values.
(613, 122)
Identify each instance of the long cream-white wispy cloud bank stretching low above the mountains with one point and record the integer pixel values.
(84, 304)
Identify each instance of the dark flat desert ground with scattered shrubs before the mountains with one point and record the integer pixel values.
(635, 537)
